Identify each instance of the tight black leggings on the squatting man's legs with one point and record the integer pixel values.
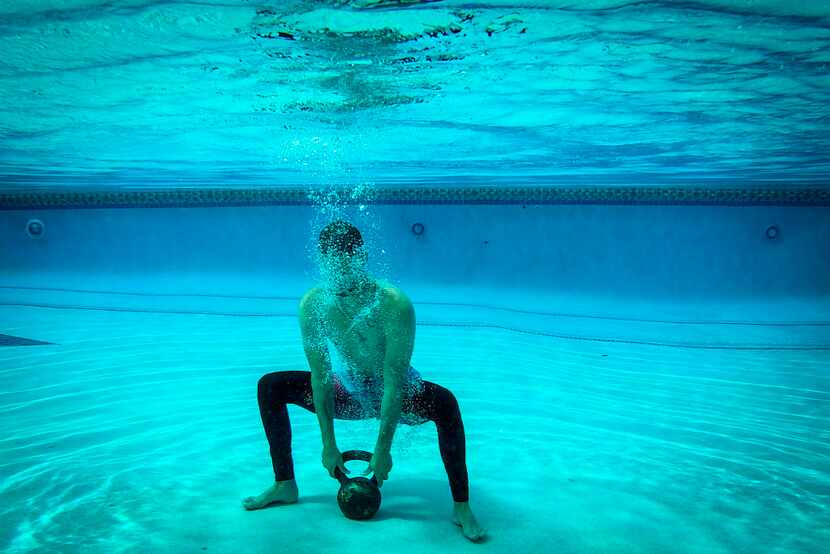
(435, 403)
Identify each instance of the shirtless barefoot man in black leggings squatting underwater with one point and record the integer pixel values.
(371, 326)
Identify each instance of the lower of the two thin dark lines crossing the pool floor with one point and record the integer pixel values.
(809, 347)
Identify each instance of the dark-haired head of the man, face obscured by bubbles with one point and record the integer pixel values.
(342, 255)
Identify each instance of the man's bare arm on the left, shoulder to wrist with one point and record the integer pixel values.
(317, 353)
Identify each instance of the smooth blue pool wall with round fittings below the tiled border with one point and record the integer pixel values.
(641, 250)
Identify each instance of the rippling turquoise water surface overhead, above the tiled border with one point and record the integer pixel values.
(140, 93)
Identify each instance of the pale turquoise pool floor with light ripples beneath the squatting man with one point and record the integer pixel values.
(138, 431)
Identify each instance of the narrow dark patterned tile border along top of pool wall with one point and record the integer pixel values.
(651, 195)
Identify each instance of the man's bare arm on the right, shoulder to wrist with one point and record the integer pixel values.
(400, 339)
